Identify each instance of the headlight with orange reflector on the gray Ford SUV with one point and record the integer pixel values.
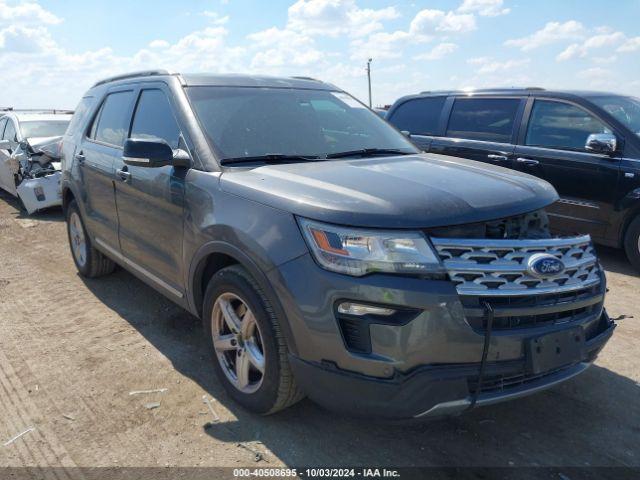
(357, 252)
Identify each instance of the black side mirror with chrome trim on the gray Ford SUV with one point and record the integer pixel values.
(153, 154)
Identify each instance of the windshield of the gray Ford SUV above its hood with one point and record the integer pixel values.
(253, 122)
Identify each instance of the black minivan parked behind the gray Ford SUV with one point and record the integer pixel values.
(586, 144)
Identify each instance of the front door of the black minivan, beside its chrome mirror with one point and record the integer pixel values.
(552, 147)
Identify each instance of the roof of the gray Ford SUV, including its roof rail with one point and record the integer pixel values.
(231, 79)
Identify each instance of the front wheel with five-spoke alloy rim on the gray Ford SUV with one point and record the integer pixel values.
(249, 352)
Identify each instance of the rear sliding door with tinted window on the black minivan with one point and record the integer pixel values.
(482, 129)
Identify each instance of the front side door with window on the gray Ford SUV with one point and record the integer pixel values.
(150, 200)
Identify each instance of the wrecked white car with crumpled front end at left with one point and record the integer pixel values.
(30, 156)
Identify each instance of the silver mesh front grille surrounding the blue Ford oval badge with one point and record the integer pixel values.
(488, 267)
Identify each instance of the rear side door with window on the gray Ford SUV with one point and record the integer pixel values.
(95, 156)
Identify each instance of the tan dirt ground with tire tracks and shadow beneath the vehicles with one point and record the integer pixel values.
(72, 350)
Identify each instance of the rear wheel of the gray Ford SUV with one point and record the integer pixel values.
(90, 262)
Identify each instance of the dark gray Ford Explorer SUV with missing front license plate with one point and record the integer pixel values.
(324, 253)
